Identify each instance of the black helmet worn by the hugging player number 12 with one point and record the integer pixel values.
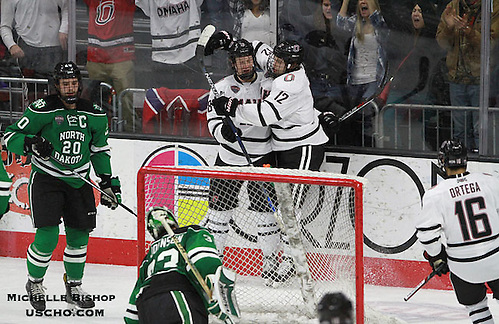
(291, 52)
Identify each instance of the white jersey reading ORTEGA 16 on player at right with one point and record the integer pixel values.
(465, 210)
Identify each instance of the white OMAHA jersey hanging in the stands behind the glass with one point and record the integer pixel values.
(175, 28)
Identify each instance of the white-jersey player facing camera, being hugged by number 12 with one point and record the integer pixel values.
(243, 85)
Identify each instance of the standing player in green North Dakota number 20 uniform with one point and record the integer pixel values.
(63, 134)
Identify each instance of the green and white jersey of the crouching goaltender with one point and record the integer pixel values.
(164, 261)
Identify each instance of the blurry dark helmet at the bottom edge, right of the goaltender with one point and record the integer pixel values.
(335, 308)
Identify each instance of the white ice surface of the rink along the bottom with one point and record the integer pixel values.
(427, 306)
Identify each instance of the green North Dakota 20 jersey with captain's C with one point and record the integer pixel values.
(79, 137)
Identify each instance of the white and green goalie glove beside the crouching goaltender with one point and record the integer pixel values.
(223, 303)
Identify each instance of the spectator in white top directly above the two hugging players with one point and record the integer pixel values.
(252, 20)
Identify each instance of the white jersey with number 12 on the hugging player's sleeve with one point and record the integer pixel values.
(288, 109)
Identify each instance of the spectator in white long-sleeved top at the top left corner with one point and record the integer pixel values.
(41, 27)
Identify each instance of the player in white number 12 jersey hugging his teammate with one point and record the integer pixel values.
(297, 136)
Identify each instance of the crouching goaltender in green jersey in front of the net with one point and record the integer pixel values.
(167, 290)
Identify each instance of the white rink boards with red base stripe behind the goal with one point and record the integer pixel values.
(392, 201)
